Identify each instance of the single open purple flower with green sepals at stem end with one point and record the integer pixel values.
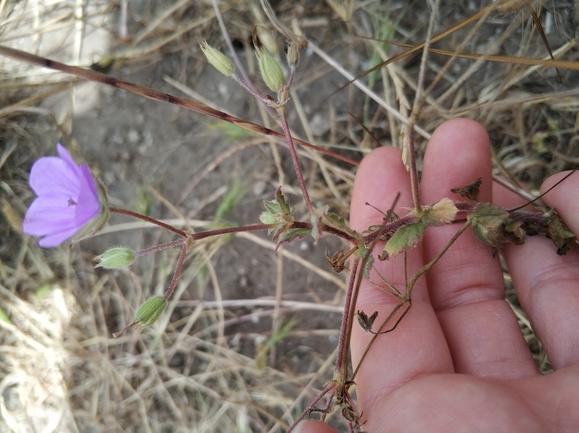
(68, 200)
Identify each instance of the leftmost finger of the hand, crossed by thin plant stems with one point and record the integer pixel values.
(417, 346)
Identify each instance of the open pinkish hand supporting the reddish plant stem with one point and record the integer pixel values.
(458, 361)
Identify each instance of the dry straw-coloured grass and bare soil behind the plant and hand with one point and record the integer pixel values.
(251, 362)
